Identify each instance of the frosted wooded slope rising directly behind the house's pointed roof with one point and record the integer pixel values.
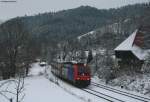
(109, 36)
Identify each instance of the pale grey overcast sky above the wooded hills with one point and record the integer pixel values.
(31, 7)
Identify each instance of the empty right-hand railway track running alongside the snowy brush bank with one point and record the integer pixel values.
(133, 96)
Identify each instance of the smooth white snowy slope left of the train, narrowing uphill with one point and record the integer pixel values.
(40, 89)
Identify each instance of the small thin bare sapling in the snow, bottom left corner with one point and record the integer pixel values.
(15, 94)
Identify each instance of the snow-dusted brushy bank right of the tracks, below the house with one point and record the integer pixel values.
(139, 83)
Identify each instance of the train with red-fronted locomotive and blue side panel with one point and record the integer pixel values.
(76, 73)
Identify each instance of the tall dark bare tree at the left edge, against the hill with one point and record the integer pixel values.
(14, 38)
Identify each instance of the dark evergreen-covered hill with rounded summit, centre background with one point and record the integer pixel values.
(67, 23)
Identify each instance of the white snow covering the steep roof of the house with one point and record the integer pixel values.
(128, 45)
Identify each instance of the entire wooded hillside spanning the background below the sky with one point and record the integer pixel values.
(48, 30)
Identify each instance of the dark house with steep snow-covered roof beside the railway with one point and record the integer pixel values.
(133, 51)
